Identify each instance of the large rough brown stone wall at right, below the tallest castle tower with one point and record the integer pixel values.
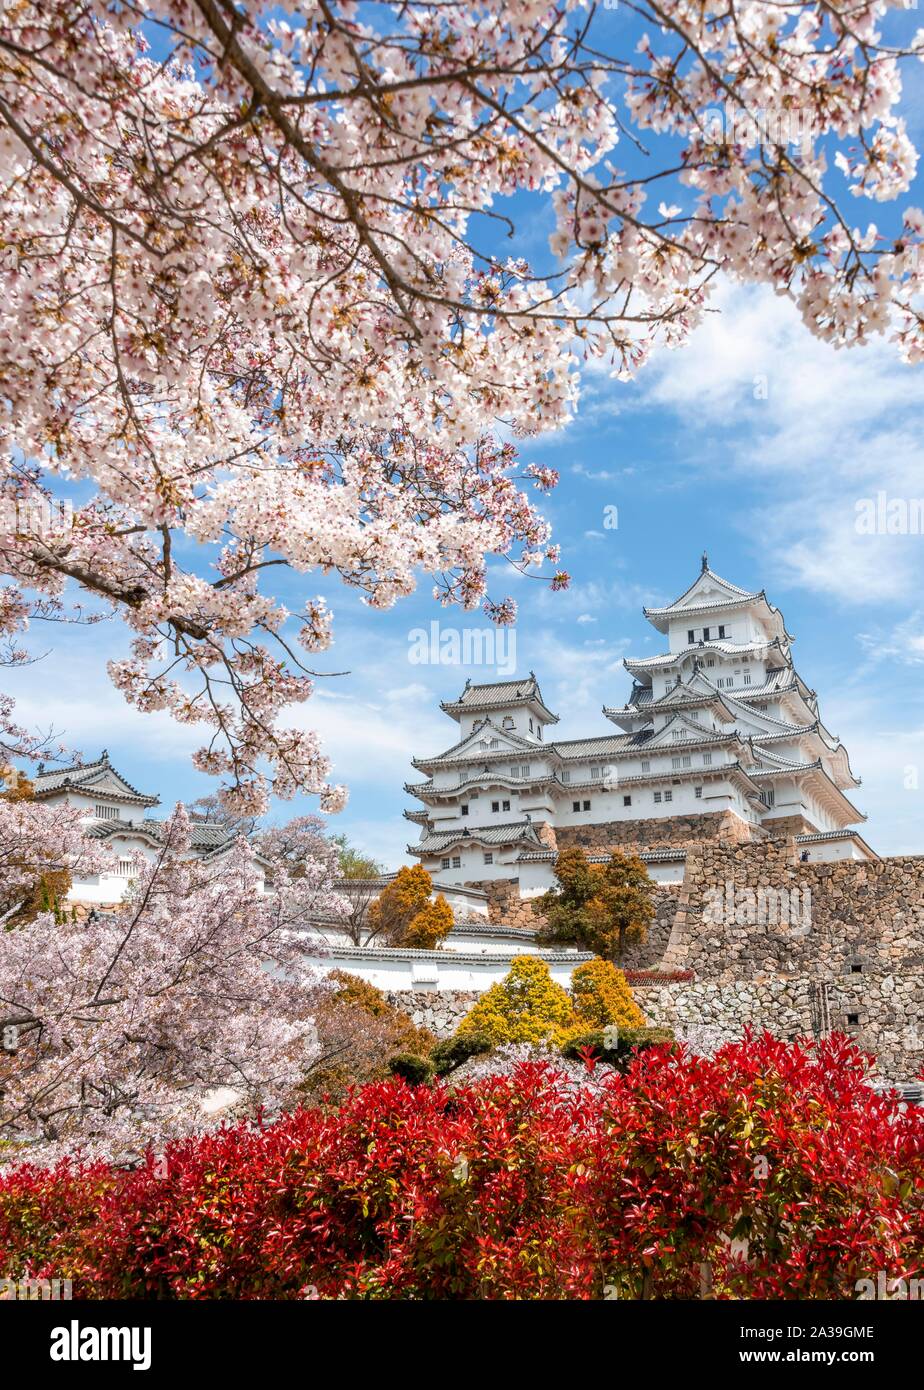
(768, 935)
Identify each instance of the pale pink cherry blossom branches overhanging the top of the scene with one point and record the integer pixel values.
(263, 301)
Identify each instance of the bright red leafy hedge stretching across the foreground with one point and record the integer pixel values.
(515, 1186)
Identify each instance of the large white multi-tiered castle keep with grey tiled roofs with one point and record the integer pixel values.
(720, 728)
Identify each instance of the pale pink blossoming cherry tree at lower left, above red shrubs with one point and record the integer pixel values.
(127, 1029)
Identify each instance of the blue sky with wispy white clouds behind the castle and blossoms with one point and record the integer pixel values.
(755, 443)
